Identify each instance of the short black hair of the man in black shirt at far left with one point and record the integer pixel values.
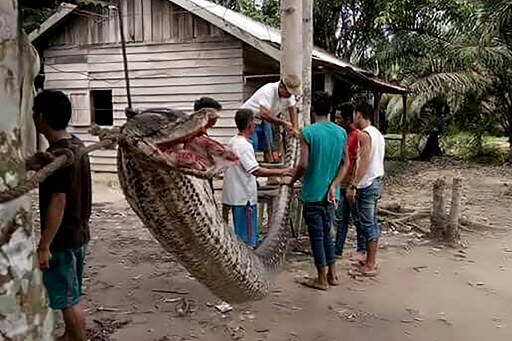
(54, 107)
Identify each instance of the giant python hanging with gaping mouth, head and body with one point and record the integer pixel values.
(164, 159)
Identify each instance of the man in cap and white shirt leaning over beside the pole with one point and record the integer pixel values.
(266, 103)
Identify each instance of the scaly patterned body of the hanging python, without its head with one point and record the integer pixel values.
(180, 212)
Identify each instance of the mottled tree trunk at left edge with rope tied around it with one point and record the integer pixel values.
(24, 314)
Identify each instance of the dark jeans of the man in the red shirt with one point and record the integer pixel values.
(342, 218)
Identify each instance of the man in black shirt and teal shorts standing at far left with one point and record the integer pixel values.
(65, 208)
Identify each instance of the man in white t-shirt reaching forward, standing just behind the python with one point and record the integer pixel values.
(239, 191)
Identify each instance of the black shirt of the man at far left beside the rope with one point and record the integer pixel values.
(75, 181)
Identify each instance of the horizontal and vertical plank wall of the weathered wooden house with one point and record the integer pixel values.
(185, 59)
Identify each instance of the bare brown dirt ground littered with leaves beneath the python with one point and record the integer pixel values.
(424, 292)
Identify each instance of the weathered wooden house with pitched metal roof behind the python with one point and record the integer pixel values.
(178, 51)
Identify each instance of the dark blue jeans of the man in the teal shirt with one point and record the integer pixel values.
(318, 217)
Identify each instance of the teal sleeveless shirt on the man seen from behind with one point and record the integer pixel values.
(326, 141)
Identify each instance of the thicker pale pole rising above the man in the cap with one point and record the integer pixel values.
(291, 40)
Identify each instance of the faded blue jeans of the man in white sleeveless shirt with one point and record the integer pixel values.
(366, 208)
